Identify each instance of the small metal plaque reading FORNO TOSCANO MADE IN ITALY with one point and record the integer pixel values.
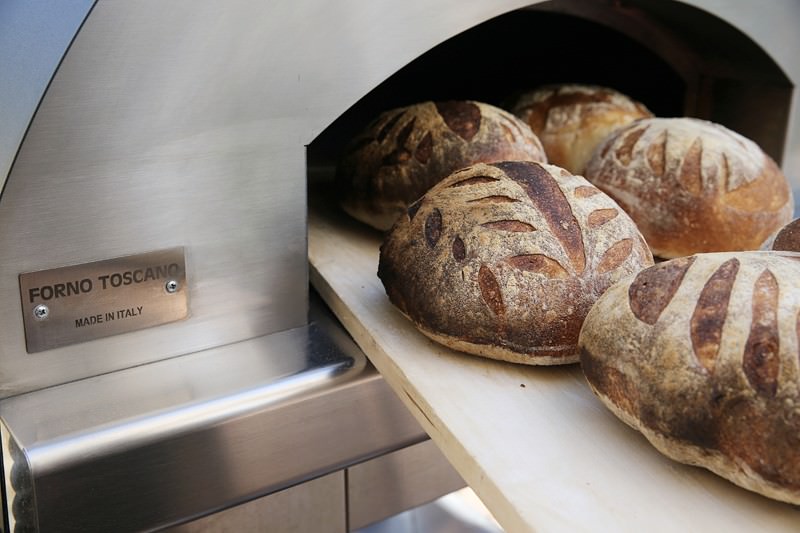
(79, 303)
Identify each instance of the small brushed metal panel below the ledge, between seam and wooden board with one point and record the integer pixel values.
(398, 481)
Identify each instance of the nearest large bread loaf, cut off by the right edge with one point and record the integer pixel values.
(700, 354)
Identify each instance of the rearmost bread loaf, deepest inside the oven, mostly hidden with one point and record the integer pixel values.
(571, 120)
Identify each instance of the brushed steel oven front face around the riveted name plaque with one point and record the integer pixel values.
(183, 123)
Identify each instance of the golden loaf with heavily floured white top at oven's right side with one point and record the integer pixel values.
(692, 185)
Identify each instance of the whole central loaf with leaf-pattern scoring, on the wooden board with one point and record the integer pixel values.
(504, 260)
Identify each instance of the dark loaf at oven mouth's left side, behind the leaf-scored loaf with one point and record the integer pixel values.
(406, 151)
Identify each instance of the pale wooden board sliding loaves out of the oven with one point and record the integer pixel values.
(533, 442)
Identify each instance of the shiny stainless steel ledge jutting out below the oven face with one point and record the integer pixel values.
(161, 443)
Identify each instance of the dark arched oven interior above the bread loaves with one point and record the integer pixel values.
(676, 59)
